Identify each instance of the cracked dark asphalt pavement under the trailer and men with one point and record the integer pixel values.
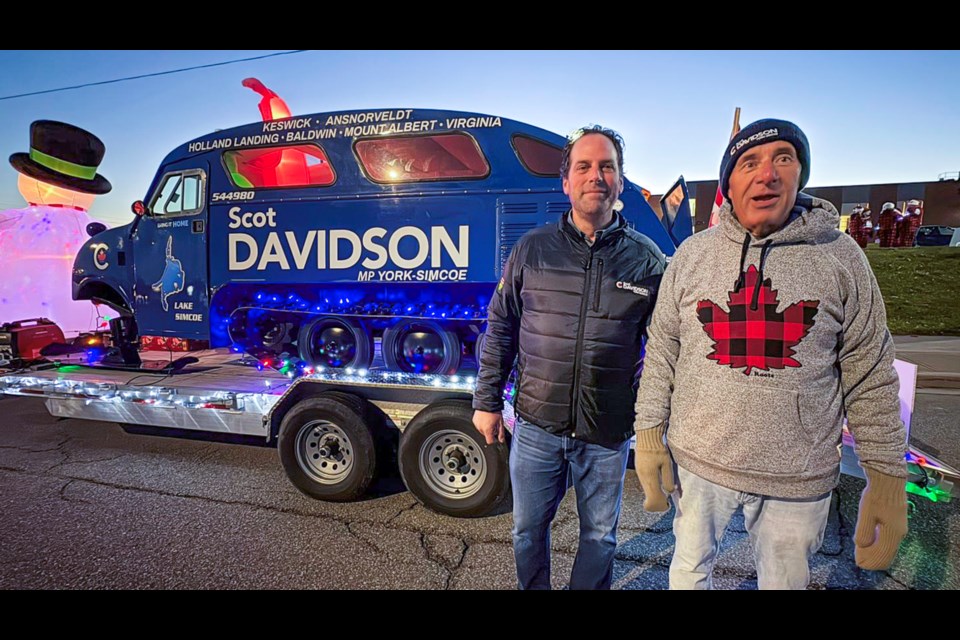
(85, 505)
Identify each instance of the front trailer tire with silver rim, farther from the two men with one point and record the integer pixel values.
(326, 448)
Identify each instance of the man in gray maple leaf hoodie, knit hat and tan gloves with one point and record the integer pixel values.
(769, 329)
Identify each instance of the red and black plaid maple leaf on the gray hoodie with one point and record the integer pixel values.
(760, 338)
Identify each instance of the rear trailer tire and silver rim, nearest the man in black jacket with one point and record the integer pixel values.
(448, 467)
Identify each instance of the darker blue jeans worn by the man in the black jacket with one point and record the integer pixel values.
(539, 464)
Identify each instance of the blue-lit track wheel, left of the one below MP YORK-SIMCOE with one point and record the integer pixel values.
(335, 342)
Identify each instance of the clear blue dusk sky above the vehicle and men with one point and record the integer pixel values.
(871, 117)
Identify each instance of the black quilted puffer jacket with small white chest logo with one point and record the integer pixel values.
(575, 313)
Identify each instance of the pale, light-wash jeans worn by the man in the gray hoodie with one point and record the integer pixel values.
(784, 533)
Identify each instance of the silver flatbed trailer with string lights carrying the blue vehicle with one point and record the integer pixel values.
(334, 428)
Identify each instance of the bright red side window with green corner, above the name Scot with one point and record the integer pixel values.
(292, 166)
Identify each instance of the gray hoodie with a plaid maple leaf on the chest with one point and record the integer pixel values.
(757, 349)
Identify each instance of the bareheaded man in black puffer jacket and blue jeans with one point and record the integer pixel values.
(573, 303)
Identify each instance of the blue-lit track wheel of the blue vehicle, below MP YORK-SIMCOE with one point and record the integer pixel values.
(421, 346)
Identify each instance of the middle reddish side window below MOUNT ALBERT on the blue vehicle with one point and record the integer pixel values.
(446, 156)
